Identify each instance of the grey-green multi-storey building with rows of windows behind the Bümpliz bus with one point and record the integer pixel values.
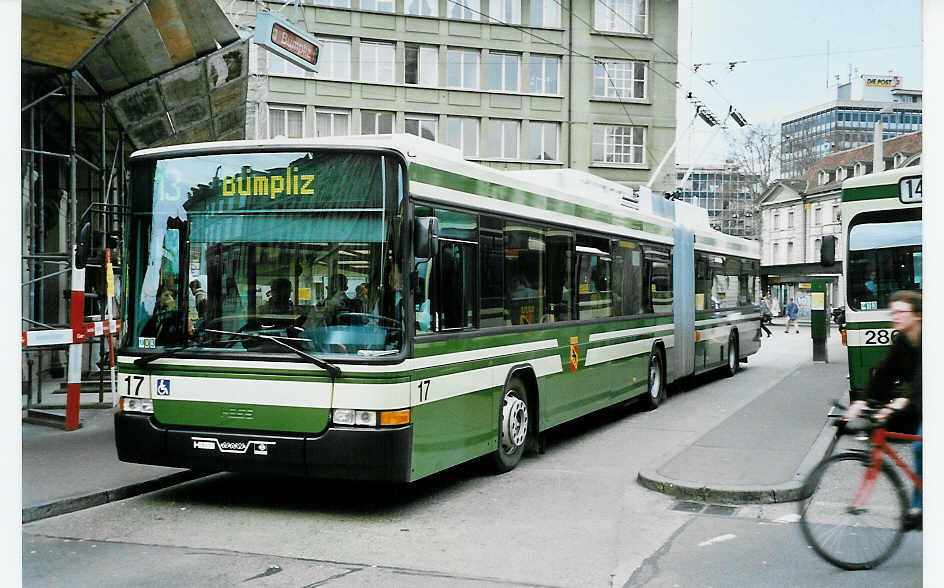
(514, 84)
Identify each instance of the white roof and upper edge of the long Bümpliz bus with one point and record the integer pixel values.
(440, 172)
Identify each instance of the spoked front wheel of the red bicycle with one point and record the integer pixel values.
(850, 523)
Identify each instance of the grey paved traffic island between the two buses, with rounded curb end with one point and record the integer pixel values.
(763, 452)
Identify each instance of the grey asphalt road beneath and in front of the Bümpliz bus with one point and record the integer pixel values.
(574, 516)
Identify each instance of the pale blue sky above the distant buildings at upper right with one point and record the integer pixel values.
(783, 47)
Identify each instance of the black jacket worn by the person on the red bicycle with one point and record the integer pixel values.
(901, 364)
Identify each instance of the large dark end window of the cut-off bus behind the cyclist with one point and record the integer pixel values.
(883, 258)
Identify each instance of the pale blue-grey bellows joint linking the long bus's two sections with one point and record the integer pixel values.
(683, 275)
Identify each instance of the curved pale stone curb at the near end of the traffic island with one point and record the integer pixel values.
(788, 491)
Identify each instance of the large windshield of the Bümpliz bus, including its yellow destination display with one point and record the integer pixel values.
(294, 245)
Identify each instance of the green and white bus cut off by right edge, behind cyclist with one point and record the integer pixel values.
(881, 222)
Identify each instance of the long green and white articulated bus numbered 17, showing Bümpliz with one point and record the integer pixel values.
(375, 307)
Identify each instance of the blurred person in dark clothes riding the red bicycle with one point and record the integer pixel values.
(902, 364)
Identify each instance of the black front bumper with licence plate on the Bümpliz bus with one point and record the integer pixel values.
(352, 453)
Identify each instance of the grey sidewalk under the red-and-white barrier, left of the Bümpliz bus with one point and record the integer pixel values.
(65, 471)
